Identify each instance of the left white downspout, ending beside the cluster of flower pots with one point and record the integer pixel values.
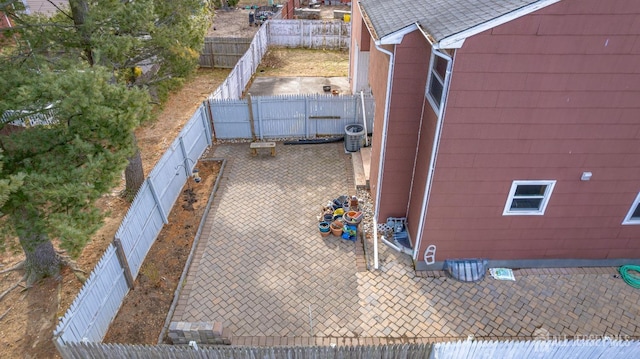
(383, 149)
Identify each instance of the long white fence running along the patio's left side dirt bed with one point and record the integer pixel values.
(100, 298)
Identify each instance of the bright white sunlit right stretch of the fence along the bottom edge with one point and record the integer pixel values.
(595, 348)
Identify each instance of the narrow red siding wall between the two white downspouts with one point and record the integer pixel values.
(405, 111)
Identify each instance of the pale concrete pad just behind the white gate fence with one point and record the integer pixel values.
(270, 86)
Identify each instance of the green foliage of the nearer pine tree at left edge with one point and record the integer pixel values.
(65, 165)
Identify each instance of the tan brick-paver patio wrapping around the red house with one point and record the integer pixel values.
(263, 270)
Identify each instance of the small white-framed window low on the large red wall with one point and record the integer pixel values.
(528, 198)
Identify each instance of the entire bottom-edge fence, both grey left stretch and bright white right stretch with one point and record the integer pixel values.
(457, 350)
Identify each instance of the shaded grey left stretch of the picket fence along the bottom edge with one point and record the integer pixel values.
(97, 350)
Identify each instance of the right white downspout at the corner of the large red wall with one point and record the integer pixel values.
(434, 149)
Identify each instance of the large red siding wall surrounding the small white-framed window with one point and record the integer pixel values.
(543, 97)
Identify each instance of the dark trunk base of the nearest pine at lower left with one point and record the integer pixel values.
(41, 258)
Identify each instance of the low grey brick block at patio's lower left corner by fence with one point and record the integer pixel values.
(200, 332)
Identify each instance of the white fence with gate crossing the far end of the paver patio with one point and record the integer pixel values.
(286, 116)
